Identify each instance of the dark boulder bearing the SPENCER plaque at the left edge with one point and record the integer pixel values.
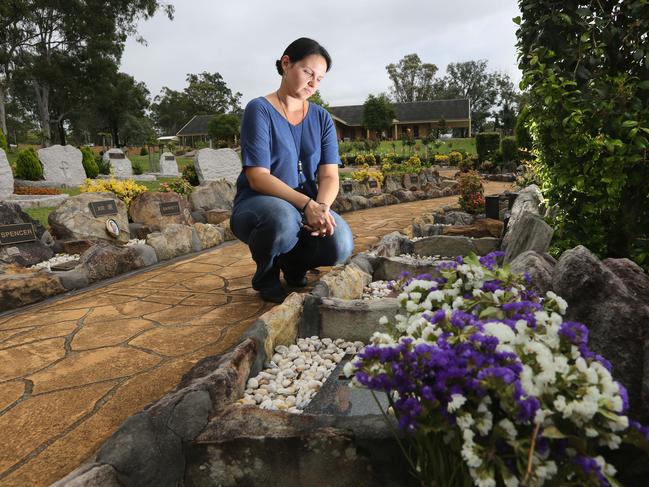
(26, 253)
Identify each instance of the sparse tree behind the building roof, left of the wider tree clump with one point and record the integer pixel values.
(411, 79)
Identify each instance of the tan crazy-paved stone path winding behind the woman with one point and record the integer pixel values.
(73, 369)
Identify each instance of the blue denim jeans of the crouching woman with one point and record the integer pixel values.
(272, 228)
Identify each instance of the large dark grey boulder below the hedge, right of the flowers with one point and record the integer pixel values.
(613, 302)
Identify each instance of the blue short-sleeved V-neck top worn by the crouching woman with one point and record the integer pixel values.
(269, 140)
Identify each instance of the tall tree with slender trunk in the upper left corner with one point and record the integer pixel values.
(75, 29)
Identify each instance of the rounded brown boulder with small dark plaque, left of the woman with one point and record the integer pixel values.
(147, 209)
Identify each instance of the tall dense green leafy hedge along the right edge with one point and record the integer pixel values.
(588, 98)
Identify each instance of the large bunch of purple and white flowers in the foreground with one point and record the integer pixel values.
(492, 385)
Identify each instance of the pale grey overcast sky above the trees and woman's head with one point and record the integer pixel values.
(242, 39)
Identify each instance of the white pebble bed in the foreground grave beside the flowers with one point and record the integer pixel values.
(296, 373)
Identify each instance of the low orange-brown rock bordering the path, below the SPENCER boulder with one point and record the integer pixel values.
(24, 288)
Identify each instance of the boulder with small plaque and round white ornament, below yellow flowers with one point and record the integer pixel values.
(74, 220)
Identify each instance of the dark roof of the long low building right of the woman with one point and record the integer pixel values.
(410, 112)
